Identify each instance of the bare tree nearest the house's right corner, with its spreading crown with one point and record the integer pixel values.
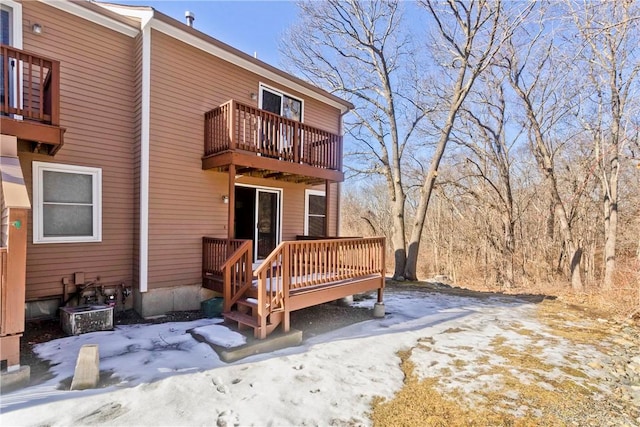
(359, 50)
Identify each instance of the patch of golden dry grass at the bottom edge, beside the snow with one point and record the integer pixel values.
(421, 403)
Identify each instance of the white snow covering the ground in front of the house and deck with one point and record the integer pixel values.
(165, 377)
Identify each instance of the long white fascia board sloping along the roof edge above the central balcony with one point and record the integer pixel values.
(240, 62)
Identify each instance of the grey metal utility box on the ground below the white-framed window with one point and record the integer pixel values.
(86, 318)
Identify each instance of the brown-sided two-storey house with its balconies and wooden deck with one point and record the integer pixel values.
(147, 163)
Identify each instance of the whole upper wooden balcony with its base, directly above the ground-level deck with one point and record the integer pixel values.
(262, 144)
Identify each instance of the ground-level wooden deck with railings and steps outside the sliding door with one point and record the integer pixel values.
(295, 275)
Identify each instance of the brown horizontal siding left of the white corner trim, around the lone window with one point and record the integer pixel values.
(97, 81)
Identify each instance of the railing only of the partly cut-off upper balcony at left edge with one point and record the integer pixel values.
(30, 86)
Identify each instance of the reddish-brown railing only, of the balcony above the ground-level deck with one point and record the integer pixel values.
(234, 126)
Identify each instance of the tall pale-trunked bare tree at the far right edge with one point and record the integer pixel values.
(610, 54)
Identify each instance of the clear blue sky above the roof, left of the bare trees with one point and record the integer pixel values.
(250, 26)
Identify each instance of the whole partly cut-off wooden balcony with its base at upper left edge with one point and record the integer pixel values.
(30, 98)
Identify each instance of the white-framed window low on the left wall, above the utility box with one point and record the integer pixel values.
(67, 203)
